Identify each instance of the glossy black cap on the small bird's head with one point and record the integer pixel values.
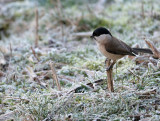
(99, 31)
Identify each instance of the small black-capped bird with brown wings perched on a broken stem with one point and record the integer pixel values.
(113, 48)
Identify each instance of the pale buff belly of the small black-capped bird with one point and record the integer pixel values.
(109, 55)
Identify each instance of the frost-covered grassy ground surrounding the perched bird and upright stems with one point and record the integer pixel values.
(27, 89)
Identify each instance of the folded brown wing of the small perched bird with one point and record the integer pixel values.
(118, 47)
